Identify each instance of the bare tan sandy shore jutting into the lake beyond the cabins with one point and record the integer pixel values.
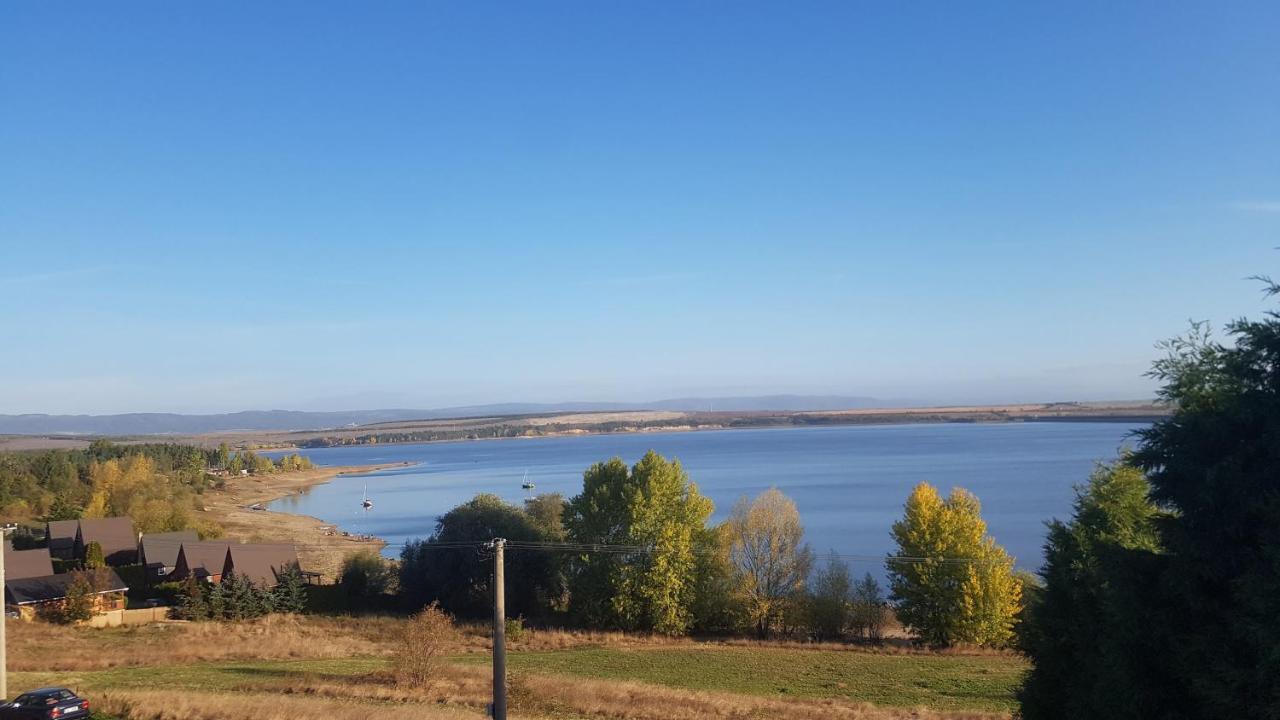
(318, 552)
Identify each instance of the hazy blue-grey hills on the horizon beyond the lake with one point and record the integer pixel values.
(173, 423)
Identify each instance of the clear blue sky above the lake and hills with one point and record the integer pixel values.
(322, 206)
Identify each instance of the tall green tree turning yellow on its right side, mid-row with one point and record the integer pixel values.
(659, 517)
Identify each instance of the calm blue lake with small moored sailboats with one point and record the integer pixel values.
(849, 482)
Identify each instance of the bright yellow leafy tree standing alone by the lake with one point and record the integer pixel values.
(950, 581)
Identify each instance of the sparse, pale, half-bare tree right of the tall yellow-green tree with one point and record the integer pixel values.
(772, 560)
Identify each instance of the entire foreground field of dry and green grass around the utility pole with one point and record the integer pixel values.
(340, 669)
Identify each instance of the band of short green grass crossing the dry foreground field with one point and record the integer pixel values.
(938, 682)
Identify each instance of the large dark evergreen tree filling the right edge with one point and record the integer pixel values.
(1191, 632)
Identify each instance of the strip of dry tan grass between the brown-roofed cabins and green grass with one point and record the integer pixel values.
(280, 637)
